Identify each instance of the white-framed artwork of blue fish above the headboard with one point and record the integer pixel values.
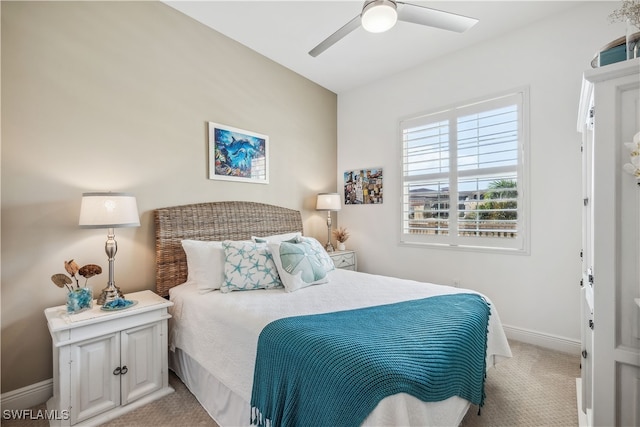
(238, 155)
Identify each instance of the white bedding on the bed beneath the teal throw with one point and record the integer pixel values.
(219, 332)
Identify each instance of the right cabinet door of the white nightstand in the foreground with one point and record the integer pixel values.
(141, 362)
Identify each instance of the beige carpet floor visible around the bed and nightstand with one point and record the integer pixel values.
(537, 387)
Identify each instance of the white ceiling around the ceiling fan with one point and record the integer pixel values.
(285, 31)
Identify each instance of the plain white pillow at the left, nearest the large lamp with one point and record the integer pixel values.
(205, 264)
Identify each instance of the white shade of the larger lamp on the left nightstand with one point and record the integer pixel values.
(108, 210)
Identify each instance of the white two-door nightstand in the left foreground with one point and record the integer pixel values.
(107, 363)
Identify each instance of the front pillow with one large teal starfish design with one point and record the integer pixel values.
(298, 264)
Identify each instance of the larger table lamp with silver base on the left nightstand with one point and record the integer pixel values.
(110, 211)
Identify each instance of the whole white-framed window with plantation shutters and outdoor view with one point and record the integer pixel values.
(463, 181)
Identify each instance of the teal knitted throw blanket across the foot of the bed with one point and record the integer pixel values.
(333, 369)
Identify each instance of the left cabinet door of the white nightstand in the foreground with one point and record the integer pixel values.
(94, 387)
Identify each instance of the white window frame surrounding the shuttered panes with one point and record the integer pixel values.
(521, 243)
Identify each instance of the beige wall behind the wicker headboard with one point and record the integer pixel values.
(115, 96)
